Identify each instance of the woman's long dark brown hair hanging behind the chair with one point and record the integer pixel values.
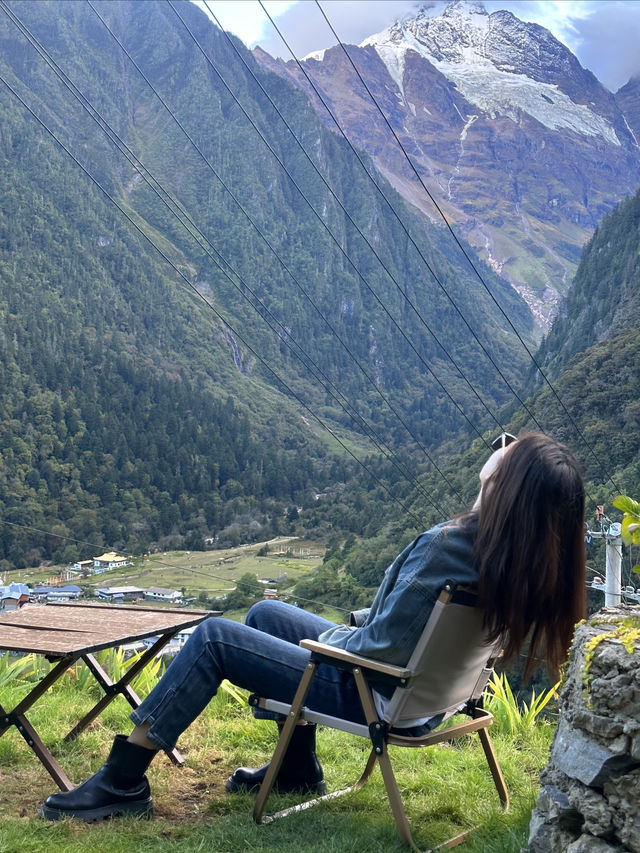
(529, 550)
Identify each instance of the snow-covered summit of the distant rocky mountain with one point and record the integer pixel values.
(500, 65)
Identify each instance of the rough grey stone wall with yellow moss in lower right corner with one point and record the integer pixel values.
(589, 801)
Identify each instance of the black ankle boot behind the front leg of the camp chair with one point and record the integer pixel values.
(300, 770)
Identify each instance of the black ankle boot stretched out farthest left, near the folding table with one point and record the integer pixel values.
(119, 787)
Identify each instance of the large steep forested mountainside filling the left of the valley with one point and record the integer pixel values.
(131, 412)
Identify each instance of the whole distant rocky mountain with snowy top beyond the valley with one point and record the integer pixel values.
(522, 148)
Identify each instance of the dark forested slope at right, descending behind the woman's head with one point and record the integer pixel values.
(589, 400)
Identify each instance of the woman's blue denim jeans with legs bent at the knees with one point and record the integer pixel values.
(262, 656)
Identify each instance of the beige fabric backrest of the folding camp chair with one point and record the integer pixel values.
(452, 661)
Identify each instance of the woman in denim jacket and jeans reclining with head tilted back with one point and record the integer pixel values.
(521, 545)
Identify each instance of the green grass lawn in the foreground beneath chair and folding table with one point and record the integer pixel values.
(446, 789)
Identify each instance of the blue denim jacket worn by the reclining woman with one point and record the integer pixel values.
(407, 594)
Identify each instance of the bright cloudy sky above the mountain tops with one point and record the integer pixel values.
(603, 34)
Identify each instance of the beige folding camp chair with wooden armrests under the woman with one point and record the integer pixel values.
(447, 673)
